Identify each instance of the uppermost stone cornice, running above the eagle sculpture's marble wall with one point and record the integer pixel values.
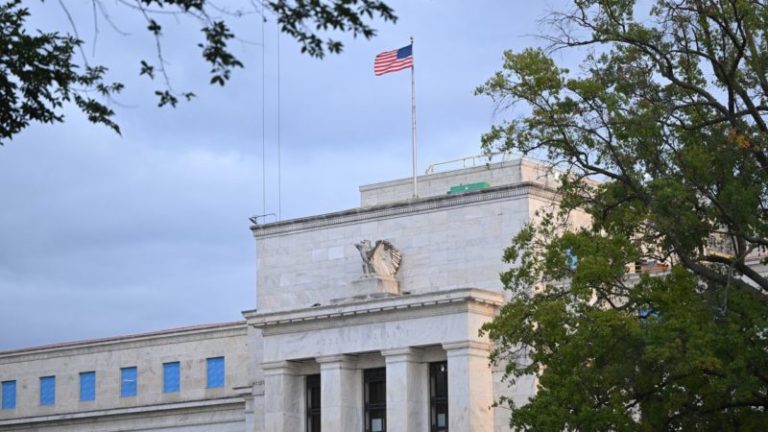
(402, 208)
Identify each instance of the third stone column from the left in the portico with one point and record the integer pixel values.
(407, 406)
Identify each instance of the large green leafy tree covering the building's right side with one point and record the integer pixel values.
(668, 115)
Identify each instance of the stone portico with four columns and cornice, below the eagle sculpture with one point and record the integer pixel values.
(407, 333)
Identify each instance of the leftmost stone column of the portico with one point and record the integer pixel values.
(283, 397)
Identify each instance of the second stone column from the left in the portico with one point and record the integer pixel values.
(341, 395)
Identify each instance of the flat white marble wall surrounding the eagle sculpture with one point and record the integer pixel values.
(442, 248)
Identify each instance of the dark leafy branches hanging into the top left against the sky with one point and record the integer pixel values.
(40, 72)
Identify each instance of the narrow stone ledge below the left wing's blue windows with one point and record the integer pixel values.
(142, 411)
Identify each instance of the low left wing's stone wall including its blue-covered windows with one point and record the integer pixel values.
(189, 349)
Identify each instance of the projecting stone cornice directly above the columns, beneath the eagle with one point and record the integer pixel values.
(487, 301)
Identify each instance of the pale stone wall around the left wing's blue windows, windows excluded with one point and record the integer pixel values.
(191, 347)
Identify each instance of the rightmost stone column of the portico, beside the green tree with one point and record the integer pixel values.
(470, 387)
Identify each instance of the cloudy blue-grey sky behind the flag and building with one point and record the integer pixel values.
(104, 235)
